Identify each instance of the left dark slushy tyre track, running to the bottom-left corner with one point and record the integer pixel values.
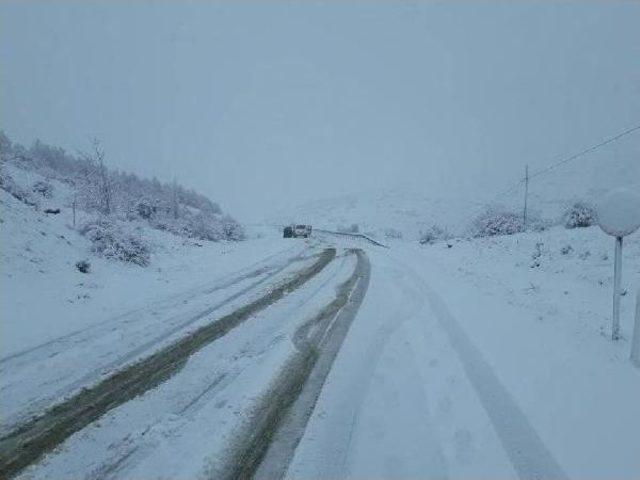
(30, 441)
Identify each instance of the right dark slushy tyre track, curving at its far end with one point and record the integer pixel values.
(282, 417)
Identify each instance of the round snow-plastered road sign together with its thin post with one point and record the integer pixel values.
(618, 216)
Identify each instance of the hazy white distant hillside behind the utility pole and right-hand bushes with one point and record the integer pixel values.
(388, 213)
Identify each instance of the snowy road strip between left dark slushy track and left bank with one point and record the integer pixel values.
(38, 376)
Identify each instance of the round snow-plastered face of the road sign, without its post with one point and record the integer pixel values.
(619, 212)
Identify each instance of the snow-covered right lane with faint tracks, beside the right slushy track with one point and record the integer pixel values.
(404, 375)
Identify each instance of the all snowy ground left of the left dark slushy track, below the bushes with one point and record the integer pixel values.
(63, 330)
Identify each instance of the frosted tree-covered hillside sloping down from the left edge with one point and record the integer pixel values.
(110, 194)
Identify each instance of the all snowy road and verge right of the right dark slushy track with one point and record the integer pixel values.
(481, 361)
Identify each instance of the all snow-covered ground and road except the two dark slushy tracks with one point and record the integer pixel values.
(485, 358)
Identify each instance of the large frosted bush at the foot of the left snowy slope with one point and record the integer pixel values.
(111, 241)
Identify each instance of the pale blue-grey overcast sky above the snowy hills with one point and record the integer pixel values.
(260, 103)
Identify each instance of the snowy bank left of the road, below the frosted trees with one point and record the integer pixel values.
(45, 296)
